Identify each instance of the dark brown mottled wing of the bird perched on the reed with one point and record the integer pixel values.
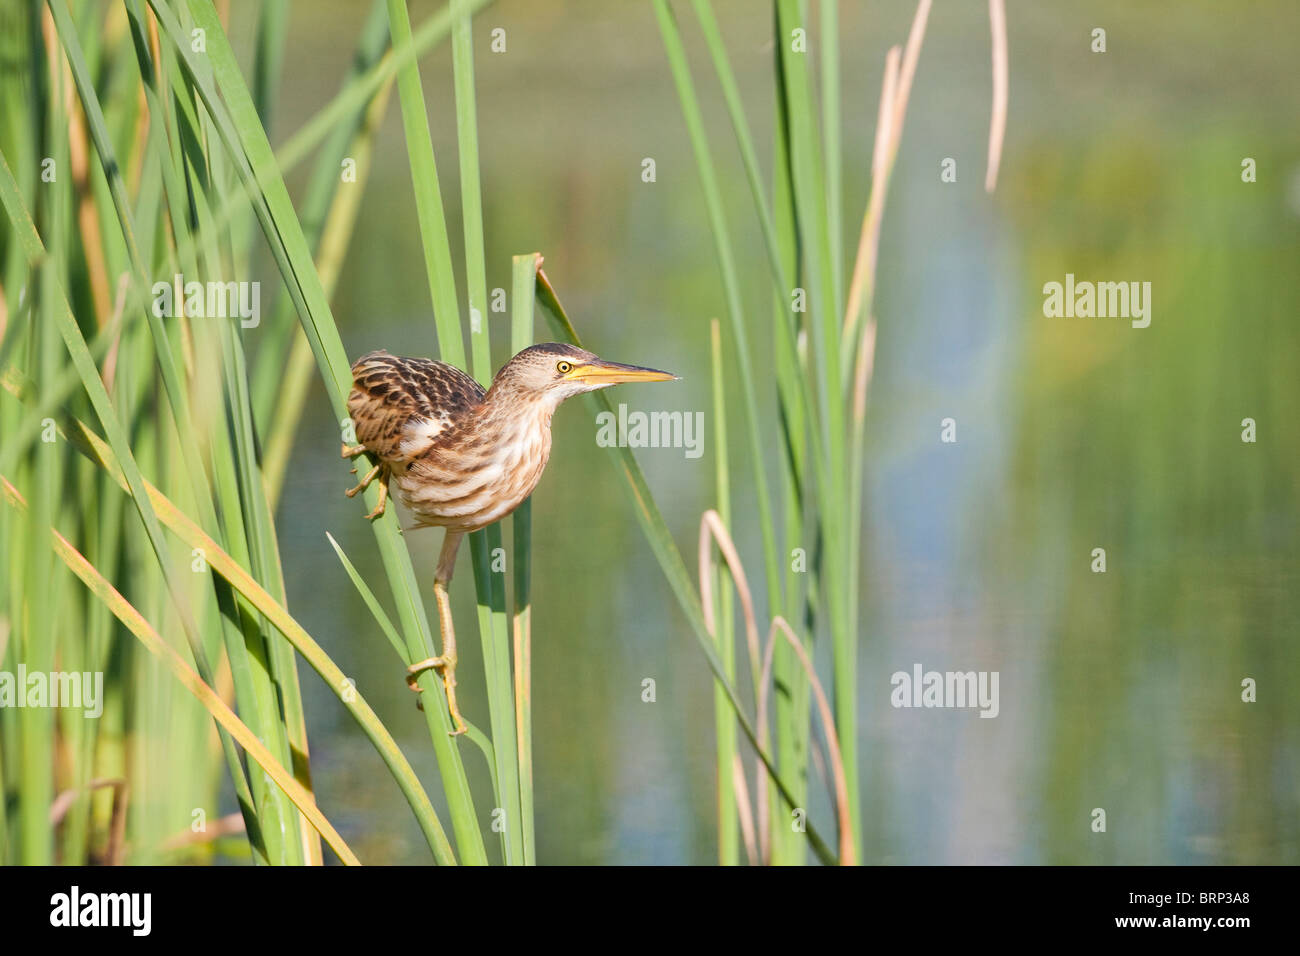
(400, 406)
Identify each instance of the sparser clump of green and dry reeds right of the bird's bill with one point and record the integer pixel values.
(811, 516)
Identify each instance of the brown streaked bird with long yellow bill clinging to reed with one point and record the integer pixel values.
(460, 457)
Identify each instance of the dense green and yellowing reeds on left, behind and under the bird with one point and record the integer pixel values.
(144, 455)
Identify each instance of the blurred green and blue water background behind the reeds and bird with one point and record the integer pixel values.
(1120, 690)
